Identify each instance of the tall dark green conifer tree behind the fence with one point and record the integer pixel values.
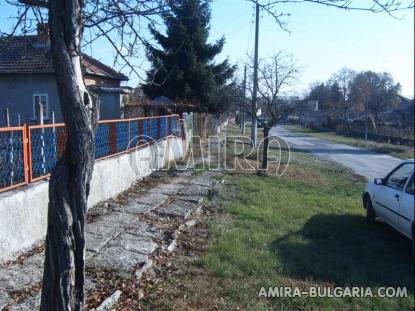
(183, 66)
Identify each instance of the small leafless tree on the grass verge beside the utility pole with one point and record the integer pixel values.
(275, 75)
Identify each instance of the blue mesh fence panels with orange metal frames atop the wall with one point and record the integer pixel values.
(29, 153)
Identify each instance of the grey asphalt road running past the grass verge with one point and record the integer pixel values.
(364, 162)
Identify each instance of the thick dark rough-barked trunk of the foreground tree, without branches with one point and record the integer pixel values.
(63, 276)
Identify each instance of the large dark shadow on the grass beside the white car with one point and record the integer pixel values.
(346, 251)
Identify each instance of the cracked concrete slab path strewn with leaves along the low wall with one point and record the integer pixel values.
(122, 234)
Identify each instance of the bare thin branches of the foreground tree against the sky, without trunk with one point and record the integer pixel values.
(120, 23)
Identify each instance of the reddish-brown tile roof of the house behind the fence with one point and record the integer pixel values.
(20, 55)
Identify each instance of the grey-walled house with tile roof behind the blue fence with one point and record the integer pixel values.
(27, 80)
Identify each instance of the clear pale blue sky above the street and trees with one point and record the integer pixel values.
(322, 40)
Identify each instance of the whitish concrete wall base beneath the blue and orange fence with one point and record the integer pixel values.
(23, 211)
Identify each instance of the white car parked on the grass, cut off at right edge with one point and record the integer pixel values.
(392, 199)
